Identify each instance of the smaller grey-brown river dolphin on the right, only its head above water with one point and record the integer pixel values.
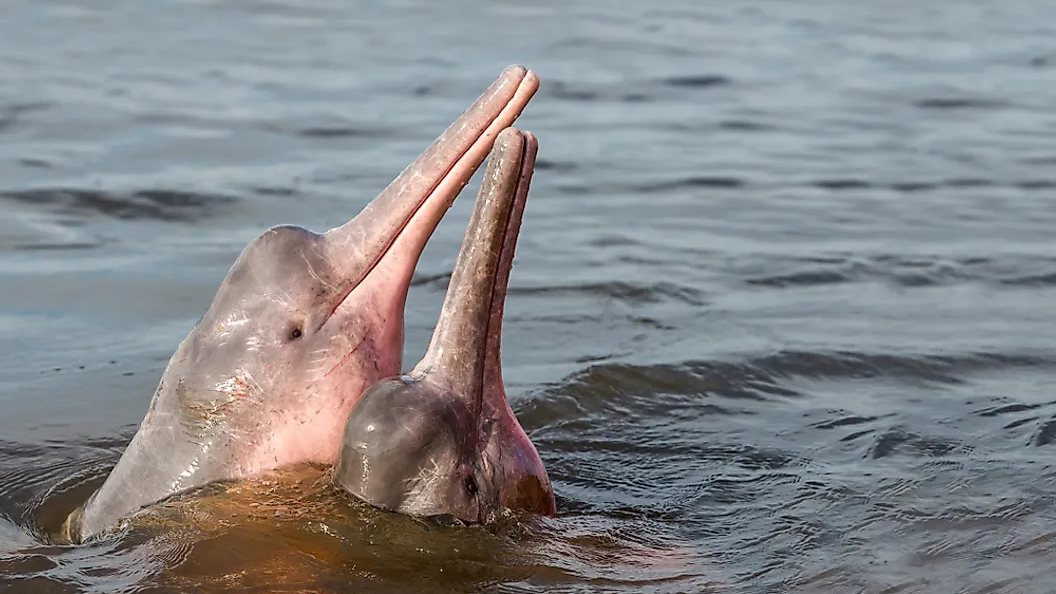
(443, 441)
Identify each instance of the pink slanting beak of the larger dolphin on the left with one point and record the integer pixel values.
(397, 225)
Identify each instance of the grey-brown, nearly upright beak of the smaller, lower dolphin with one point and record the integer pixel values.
(465, 348)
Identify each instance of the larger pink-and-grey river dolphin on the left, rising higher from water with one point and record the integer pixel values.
(300, 327)
